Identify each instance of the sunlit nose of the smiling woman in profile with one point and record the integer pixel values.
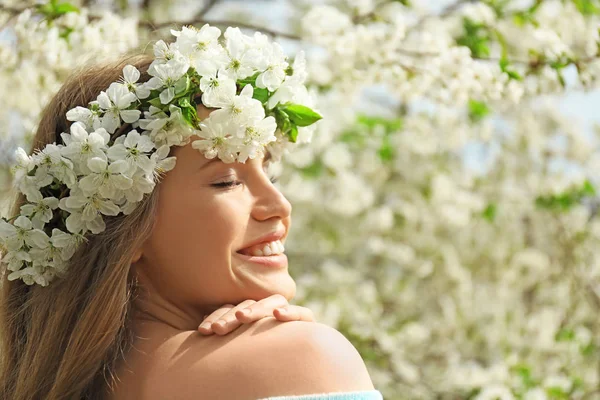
(269, 201)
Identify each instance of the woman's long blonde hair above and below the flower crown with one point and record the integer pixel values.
(64, 341)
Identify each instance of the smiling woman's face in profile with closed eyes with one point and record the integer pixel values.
(191, 261)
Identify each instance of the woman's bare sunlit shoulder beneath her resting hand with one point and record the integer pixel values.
(267, 358)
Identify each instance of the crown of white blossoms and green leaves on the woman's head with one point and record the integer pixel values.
(261, 103)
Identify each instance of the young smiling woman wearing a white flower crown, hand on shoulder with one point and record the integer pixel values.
(106, 304)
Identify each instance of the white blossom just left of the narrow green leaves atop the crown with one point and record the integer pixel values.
(171, 77)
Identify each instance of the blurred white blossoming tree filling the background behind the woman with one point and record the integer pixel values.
(457, 277)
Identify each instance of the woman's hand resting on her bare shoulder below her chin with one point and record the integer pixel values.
(229, 317)
